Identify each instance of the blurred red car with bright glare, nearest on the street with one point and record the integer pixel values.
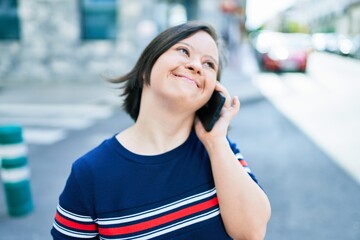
(277, 51)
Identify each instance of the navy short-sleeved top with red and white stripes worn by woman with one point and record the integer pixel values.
(112, 193)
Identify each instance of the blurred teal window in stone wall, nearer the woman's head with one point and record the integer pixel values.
(98, 19)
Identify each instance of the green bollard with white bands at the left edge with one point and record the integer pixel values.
(15, 172)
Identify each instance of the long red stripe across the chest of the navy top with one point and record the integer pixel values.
(160, 220)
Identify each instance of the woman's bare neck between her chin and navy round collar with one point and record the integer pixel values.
(157, 130)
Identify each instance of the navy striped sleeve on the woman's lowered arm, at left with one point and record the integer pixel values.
(73, 218)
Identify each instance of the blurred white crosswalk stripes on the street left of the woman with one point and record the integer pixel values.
(46, 124)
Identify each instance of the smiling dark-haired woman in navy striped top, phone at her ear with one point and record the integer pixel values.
(165, 176)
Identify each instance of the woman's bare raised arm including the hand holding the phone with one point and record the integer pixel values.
(244, 207)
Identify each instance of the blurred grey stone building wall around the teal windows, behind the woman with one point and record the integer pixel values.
(51, 49)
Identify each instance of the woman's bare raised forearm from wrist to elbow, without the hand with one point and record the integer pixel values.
(244, 207)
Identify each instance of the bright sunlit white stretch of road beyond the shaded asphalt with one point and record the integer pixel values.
(324, 103)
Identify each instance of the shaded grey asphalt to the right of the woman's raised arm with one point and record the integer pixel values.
(311, 197)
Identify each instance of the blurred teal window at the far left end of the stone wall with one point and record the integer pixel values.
(9, 20)
